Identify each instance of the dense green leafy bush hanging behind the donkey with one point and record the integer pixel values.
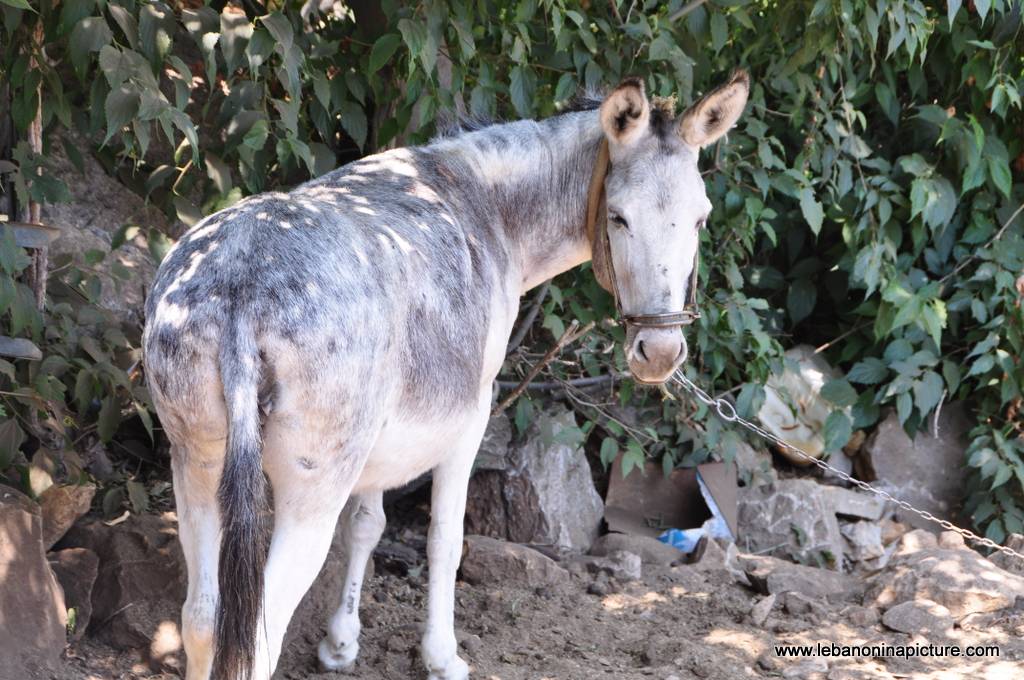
(865, 204)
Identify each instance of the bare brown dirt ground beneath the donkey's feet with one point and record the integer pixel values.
(677, 623)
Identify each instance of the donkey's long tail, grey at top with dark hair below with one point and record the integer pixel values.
(242, 497)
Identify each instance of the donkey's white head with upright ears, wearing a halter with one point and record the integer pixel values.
(656, 205)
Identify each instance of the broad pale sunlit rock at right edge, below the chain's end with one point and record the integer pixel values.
(962, 581)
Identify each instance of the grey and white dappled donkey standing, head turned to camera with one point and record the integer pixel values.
(344, 338)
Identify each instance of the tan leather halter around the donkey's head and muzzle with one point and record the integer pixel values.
(604, 267)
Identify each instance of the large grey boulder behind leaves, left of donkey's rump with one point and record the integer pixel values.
(100, 206)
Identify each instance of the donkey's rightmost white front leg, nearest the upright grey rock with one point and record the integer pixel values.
(448, 506)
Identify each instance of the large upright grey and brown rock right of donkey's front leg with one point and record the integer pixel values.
(545, 496)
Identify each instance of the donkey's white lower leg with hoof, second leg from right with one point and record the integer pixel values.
(363, 524)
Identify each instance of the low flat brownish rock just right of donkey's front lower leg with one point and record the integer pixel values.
(487, 561)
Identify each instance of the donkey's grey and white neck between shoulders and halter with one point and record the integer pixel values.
(536, 178)
